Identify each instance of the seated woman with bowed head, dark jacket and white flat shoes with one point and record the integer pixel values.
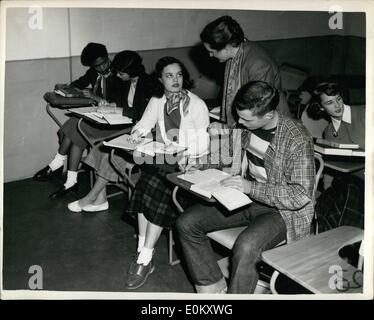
(133, 96)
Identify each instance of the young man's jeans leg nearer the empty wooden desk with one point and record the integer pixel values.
(266, 229)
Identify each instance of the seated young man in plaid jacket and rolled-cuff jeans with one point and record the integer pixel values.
(273, 163)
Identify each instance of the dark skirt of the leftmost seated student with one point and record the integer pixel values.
(92, 130)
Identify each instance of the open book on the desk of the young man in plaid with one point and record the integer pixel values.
(208, 184)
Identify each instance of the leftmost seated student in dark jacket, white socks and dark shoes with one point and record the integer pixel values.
(72, 144)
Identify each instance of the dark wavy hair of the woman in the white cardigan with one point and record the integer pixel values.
(157, 87)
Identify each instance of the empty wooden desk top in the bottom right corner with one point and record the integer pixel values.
(308, 261)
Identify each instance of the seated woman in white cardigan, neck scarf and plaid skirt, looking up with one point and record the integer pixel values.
(179, 114)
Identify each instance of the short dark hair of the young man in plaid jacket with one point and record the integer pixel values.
(258, 96)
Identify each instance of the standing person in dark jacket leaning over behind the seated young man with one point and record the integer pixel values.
(245, 61)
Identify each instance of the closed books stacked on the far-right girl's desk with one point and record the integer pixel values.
(338, 149)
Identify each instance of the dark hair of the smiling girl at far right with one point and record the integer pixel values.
(316, 110)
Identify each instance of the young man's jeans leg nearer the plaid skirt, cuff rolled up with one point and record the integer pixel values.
(193, 226)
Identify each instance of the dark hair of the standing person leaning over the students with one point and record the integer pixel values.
(221, 32)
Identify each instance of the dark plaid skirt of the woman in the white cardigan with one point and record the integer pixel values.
(152, 196)
